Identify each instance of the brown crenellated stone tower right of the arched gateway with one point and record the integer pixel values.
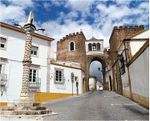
(116, 38)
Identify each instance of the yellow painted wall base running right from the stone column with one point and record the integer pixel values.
(45, 97)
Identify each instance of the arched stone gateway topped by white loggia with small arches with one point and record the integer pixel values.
(95, 54)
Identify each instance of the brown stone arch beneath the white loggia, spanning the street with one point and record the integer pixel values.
(101, 59)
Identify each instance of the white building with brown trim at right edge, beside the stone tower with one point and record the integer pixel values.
(134, 66)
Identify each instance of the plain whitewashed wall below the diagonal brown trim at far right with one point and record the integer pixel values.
(139, 74)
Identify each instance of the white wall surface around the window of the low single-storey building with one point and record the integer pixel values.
(66, 87)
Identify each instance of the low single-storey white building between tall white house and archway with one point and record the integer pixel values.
(66, 77)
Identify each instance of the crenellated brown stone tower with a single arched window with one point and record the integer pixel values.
(72, 48)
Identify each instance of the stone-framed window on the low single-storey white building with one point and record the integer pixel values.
(59, 76)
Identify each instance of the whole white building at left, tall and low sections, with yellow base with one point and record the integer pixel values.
(48, 79)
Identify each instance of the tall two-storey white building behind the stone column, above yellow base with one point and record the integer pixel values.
(12, 44)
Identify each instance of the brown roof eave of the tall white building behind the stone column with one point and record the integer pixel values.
(22, 31)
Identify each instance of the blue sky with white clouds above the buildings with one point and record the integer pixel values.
(61, 17)
